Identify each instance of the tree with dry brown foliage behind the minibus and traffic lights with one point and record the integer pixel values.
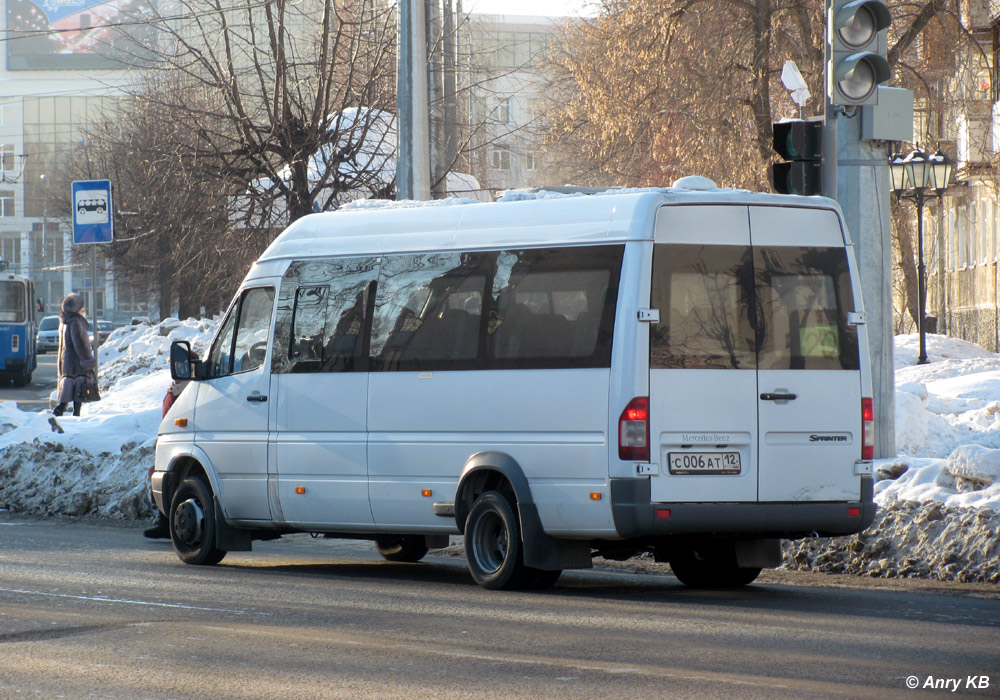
(653, 89)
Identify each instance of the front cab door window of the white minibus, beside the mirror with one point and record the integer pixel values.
(242, 343)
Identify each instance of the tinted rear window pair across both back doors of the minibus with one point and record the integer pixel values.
(736, 307)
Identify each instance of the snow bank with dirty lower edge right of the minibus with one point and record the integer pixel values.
(939, 498)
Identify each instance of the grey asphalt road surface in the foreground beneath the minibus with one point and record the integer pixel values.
(92, 610)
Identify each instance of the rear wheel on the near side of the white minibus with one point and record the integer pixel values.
(493, 543)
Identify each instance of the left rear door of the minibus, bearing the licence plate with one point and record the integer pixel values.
(703, 378)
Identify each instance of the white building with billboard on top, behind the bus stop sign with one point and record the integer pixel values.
(53, 80)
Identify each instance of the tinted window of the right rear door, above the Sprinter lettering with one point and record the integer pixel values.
(804, 295)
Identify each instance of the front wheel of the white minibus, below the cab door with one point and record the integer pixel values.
(192, 523)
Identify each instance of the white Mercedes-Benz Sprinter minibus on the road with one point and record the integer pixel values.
(680, 371)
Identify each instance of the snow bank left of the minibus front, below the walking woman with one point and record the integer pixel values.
(99, 465)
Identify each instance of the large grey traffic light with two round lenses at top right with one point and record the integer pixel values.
(857, 55)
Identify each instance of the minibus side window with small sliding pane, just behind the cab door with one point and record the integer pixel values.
(324, 313)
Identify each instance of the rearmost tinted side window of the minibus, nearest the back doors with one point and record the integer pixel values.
(552, 308)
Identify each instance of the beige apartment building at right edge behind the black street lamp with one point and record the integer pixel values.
(961, 233)
